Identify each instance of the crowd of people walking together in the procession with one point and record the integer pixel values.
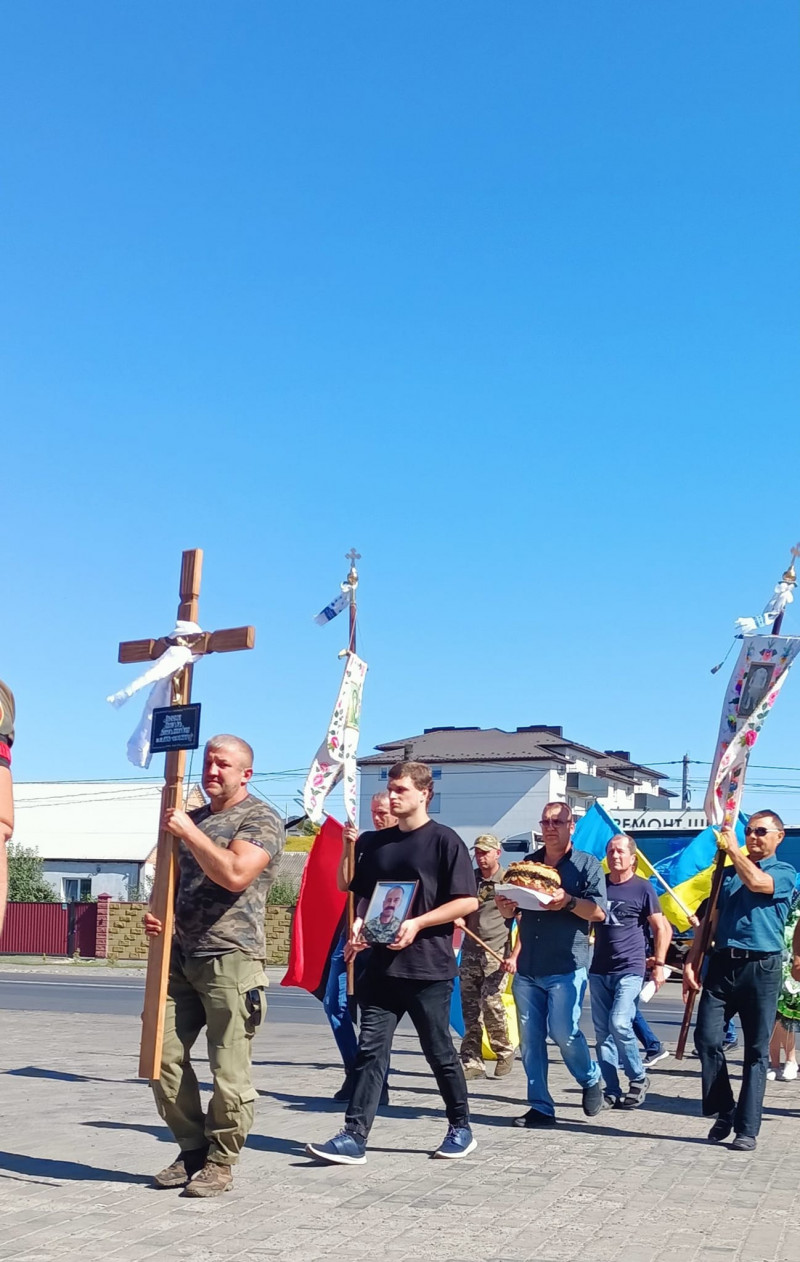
(603, 932)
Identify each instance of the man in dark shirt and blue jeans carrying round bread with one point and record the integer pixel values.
(552, 967)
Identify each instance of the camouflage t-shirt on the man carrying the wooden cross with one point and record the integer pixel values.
(209, 919)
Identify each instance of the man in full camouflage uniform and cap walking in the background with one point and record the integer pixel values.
(481, 975)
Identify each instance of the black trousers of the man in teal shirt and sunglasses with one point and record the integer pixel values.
(749, 988)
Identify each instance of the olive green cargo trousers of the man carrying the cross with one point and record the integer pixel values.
(210, 991)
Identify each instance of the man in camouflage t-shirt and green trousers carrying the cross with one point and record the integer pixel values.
(228, 861)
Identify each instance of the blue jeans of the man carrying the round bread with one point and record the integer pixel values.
(552, 1003)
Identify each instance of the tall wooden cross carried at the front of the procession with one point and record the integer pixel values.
(163, 899)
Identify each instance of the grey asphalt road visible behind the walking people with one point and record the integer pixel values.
(105, 996)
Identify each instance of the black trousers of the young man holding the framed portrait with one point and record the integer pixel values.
(384, 1001)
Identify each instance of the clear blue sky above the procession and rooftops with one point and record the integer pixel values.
(504, 295)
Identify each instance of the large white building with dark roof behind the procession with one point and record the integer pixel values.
(493, 782)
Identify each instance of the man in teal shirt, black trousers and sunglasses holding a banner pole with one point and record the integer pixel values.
(744, 976)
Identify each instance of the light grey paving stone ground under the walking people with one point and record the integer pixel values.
(81, 1139)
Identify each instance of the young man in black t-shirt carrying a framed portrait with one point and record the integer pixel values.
(415, 975)
